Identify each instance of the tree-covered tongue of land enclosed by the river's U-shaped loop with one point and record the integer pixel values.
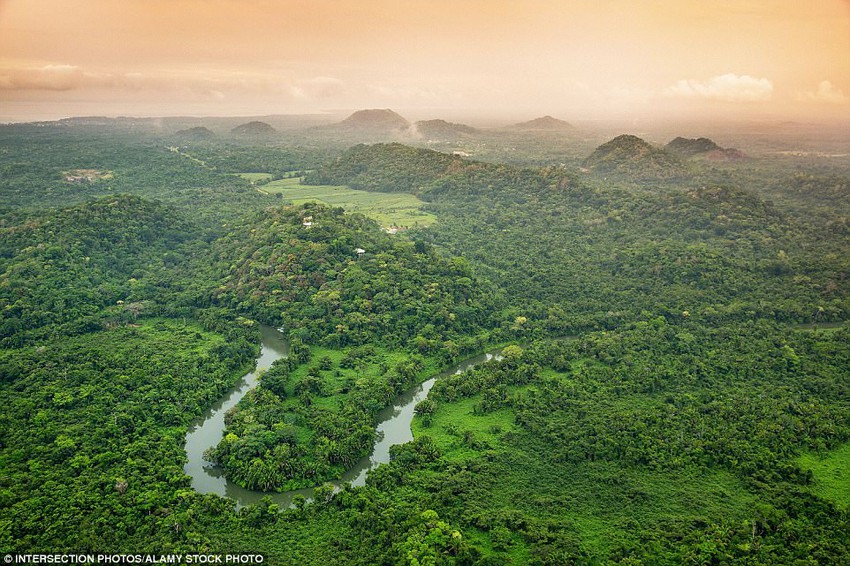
(306, 425)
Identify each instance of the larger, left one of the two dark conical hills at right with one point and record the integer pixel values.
(632, 156)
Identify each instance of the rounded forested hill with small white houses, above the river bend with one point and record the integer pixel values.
(336, 278)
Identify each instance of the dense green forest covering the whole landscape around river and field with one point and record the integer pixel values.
(674, 384)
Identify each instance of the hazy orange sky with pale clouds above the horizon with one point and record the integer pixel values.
(510, 59)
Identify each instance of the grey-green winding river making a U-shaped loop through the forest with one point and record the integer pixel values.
(207, 431)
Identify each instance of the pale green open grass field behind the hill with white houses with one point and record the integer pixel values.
(390, 210)
